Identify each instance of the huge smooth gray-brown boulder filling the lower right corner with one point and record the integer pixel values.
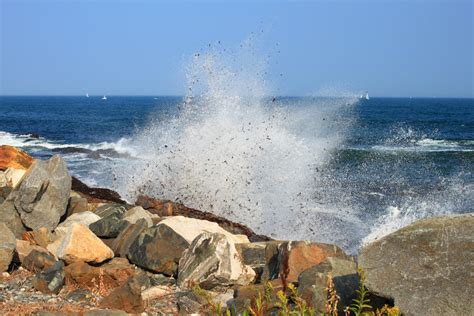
(426, 267)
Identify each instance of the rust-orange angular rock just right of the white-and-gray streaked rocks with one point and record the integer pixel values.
(296, 256)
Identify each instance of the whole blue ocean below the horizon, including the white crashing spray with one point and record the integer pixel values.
(331, 169)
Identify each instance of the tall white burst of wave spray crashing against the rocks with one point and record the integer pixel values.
(238, 152)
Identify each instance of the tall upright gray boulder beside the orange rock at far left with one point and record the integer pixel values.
(42, 196)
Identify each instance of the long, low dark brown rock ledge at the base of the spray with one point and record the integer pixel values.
(167, 208)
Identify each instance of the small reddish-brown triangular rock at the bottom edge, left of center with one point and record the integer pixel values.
(127, 297)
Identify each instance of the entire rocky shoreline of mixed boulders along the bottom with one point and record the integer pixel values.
(66, 248)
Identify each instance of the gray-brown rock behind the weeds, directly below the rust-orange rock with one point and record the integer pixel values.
(312, 283)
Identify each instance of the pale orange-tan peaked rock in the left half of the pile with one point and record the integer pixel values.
(80, 244)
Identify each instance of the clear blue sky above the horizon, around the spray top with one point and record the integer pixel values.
(415, 48)
